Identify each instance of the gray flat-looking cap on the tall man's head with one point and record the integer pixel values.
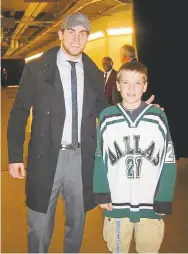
(76, 19)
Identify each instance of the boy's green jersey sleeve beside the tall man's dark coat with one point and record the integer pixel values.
(100, 182)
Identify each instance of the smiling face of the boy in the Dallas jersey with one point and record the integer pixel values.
(131, 85)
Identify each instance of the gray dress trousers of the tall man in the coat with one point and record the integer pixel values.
(68, 183)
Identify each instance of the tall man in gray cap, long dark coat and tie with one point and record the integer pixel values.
(65, 90)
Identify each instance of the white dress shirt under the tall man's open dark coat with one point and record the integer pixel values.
(65, 74)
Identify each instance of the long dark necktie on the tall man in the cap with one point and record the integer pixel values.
(74, 105)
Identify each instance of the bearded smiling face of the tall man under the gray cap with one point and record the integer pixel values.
(74, 40)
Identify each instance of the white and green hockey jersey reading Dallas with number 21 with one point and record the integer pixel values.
(135, 165)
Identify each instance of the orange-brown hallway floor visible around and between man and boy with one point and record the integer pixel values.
(14, 212)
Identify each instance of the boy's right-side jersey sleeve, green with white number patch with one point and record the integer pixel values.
(166, 185)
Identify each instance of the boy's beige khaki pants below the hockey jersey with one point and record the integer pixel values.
(148, 234)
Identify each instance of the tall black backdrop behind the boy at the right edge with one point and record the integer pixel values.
(161, 37)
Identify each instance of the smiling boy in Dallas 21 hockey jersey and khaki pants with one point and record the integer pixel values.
(135, 169)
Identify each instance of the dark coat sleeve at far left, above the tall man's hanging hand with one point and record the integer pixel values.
(19, 115)
